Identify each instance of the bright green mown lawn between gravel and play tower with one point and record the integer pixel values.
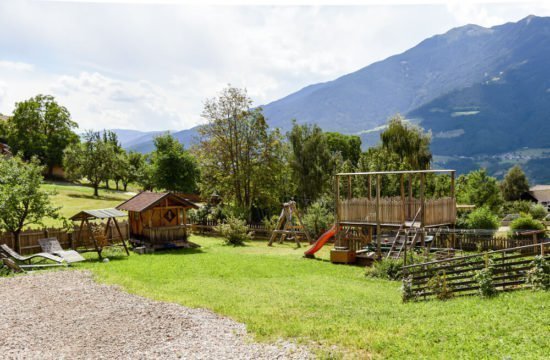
(333, 308)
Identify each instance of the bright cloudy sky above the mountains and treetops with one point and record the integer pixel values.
(145, 66)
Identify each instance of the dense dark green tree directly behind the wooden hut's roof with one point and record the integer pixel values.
(173, 168)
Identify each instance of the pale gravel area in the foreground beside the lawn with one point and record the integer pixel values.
(66, 315)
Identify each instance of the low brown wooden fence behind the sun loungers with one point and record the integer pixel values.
(69, 239)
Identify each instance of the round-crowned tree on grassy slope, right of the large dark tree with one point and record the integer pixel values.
(91, 159)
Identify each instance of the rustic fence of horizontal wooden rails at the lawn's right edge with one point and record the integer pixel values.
(456, 275)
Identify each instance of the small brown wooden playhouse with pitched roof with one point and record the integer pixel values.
(158, 219)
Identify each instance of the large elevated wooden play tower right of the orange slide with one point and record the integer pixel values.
(390, 222)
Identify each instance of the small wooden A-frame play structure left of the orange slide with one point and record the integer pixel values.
(289, 226)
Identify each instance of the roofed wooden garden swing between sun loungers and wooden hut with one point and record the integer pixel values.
(96, 233)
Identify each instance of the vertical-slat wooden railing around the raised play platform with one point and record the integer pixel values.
(391, 211)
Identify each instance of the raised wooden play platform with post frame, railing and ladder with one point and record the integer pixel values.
(404, 213)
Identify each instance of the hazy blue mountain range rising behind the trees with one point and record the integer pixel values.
(484, 93)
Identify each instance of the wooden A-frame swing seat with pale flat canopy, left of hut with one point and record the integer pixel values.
(85, 216)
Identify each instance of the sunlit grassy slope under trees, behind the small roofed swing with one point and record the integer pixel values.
(73, 198)
